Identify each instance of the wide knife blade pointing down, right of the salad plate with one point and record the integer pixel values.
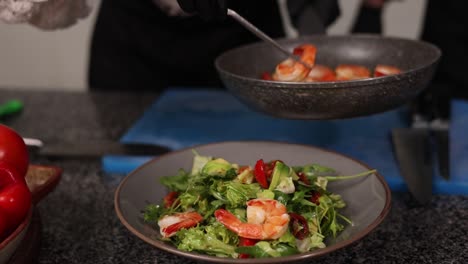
(414, 155)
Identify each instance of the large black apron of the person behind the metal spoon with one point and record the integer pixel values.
(137, 47)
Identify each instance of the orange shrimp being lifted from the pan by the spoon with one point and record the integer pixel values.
(290, 70)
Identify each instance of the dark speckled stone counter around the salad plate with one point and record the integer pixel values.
(80, 224)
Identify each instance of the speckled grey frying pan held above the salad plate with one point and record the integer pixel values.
(240, 70)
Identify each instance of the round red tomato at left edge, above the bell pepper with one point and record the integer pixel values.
(13, 150)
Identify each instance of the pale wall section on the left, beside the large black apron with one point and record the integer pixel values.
(31, 58)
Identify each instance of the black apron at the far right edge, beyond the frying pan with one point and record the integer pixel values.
(446, 25)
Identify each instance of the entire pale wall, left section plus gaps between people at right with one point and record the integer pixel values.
(30, 58)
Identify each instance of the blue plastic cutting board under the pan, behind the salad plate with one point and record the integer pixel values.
(183, 118)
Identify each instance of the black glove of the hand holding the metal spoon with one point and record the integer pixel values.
(206, 9)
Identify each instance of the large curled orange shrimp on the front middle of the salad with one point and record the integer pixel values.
(266, 219)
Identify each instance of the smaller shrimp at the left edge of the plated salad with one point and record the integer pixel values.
(170, 224)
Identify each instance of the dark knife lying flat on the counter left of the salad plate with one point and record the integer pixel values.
(93, 149)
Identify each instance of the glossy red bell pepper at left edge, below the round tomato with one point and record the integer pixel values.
(15, 199)
